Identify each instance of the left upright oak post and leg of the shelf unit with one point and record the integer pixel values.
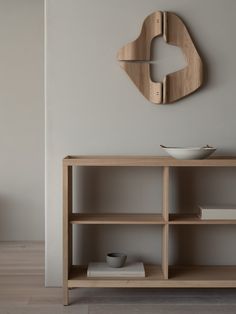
(67, 229)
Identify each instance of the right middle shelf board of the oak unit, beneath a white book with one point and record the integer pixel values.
(194, 219)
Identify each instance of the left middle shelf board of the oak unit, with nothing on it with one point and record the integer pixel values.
(117, 219)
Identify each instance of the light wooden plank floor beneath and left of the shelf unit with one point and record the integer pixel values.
(22, 292)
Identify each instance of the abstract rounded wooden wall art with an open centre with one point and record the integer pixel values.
(135, 57)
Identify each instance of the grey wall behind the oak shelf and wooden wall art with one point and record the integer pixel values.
(93, 108)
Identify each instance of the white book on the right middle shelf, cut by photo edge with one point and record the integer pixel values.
(218, 212)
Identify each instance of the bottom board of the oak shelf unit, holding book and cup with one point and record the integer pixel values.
(179, 277)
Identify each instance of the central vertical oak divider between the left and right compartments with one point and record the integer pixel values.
(165, 228)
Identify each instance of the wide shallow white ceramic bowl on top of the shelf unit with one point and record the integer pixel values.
(189, 152)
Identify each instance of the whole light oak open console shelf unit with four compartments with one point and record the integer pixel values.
(156, 275)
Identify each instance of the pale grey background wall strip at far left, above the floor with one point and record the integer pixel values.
(21, 120)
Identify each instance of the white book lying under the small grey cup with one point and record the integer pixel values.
(103, 270)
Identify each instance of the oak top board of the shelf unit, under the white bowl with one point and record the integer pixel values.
(151, 161)
